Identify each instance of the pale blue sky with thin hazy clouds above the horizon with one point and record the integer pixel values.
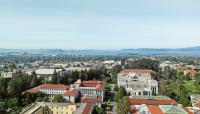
(99, 24)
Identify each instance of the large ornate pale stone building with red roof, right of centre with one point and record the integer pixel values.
(138, 82)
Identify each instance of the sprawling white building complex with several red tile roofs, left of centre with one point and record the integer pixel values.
(91, 91)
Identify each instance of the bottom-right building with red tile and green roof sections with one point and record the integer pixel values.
(155, 105)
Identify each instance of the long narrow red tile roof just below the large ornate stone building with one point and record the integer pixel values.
(136, 101)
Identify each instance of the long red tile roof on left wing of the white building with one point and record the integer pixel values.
(54, 86)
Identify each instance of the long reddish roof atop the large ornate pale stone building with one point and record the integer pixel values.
(138, 71)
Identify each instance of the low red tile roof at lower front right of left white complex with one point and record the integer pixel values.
(91, 100)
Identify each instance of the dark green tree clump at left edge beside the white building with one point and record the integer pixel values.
(12, 91)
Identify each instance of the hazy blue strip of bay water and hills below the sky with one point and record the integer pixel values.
(189, 51)
